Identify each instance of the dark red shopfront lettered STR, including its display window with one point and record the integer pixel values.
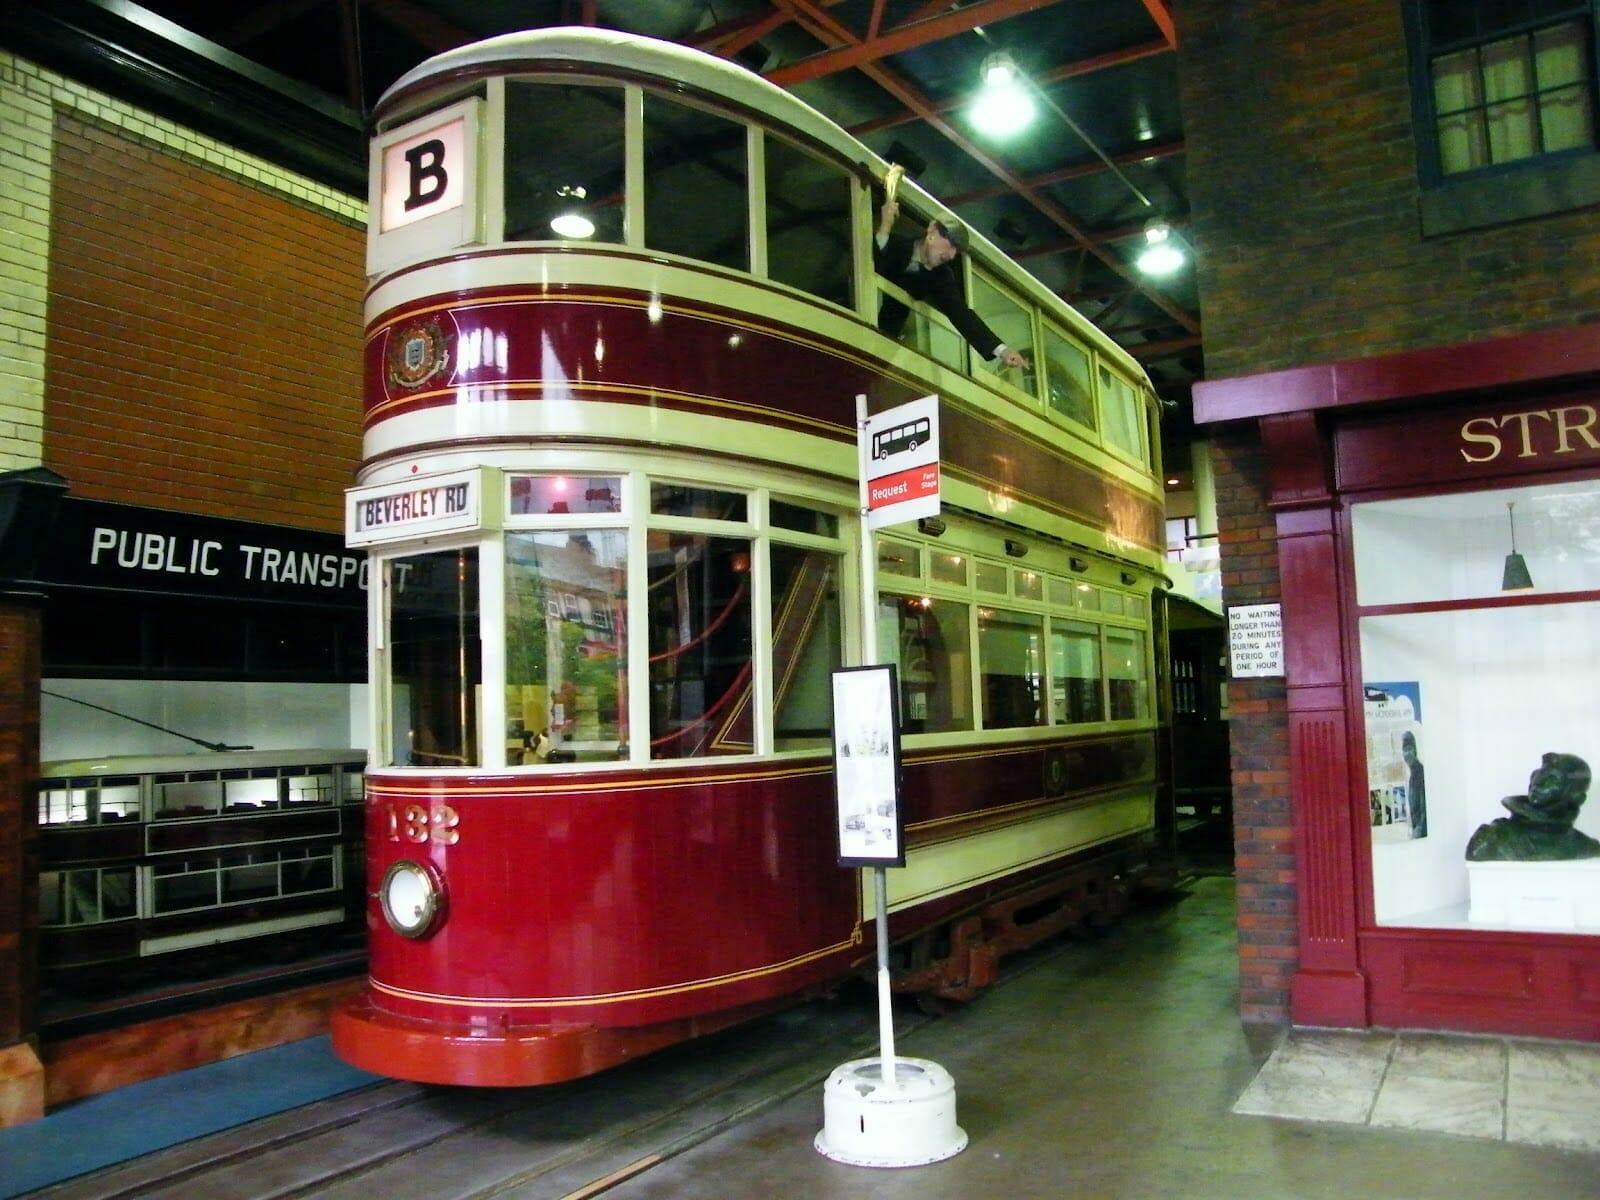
(1438, 519)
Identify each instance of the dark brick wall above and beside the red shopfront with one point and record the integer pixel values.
(1310, 250)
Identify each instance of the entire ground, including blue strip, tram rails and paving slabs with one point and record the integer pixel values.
(1102, 1070)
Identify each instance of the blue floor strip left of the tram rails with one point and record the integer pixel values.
(172, 1110)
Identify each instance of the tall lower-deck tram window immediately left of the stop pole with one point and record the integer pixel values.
(809, 644)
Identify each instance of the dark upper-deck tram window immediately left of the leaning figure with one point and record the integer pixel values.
(809, 242)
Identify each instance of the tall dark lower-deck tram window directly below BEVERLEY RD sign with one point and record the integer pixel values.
(434, 658)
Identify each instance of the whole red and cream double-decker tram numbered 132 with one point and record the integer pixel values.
(620, 314)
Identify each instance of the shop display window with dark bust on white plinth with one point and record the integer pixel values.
(1481, 670)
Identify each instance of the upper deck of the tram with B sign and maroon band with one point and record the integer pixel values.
(724, 303)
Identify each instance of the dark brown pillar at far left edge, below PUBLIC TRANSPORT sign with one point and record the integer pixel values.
(22, 1074)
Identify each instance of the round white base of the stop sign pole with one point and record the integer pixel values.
(868, 1122)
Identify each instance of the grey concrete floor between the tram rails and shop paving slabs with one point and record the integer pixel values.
(1111, 1071)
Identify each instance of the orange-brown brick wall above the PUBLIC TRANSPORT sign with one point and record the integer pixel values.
(204, 338)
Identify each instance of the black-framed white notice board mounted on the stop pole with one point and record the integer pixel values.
(866, 769)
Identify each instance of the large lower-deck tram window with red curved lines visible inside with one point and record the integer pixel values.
(700, 646)
